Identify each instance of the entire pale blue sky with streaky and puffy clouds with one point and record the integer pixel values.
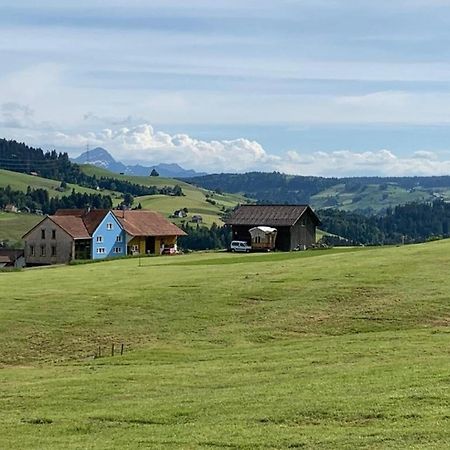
(309, 87)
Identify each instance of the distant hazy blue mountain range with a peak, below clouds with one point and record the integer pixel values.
(100, 157)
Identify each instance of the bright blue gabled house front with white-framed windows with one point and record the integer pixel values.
(108, 238)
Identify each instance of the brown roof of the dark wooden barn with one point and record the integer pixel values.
(269, 215)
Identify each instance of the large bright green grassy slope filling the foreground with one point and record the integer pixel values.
(321, 349)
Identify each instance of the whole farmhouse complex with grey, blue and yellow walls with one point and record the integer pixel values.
(97, 234)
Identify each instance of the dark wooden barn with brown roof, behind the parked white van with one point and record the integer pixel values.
(295, 224)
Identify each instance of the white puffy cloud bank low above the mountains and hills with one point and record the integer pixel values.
(142, 144)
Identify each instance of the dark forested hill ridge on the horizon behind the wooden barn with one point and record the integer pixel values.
(363, 194)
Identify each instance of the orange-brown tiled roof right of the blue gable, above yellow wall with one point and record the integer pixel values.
(147, 223)
